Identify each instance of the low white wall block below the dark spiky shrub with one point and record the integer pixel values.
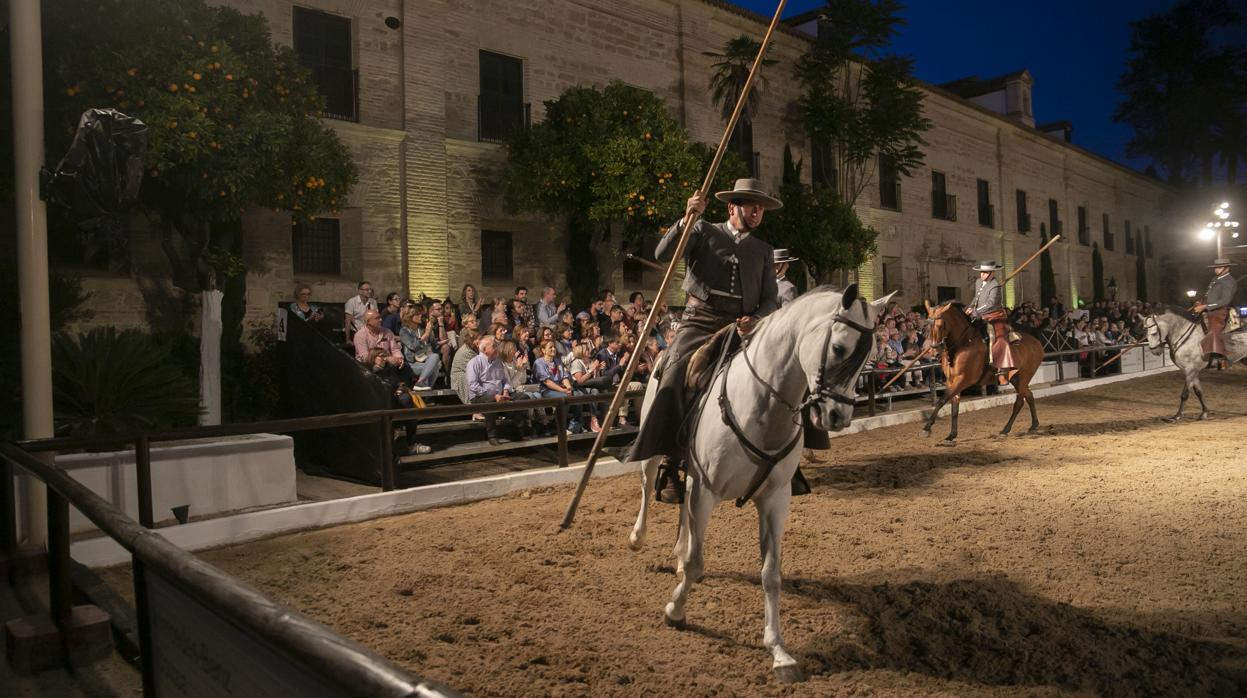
(210, 477)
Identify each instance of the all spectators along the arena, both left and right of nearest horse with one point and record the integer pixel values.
(514, 350)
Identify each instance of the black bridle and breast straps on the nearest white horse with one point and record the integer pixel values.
(824, 391)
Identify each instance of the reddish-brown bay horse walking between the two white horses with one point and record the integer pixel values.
(965, 361)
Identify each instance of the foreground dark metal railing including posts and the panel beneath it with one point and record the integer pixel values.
(306, 650)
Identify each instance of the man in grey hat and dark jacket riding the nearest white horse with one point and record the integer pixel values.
(730, 280)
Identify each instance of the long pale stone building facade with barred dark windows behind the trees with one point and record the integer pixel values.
(428, 79)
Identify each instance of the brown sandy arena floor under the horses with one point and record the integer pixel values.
(1102, 558)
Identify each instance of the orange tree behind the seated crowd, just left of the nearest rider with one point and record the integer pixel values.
(602, 160)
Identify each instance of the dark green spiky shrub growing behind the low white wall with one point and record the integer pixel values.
(109, 382)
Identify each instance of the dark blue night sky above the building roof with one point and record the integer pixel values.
(1076, 50)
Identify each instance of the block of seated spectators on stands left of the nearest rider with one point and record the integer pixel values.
(503, 350)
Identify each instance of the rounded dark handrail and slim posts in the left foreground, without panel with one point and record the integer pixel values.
(357, 670)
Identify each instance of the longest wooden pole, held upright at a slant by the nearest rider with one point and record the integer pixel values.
(676, 257)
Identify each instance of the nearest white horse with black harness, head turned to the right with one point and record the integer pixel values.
(816, 346)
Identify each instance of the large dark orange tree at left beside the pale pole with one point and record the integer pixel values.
(231, 127)
